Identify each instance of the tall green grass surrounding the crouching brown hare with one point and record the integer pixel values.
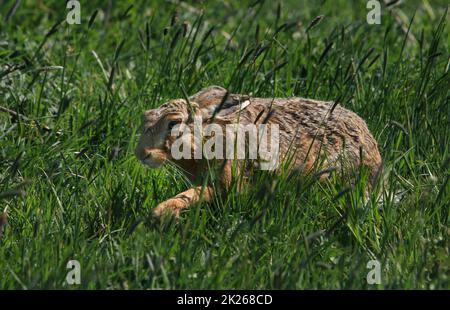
(74, 190)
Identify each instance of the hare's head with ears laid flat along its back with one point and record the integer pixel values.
(157, 137)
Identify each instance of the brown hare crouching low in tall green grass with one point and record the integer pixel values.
(309, 131)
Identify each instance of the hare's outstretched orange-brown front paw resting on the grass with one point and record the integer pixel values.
(173, 206)
